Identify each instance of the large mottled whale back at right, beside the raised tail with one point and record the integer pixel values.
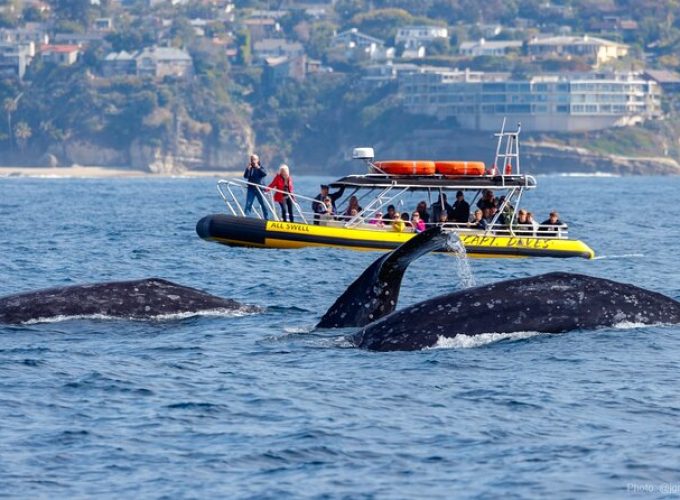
(550, 303)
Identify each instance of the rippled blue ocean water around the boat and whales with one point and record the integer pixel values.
(255, 406)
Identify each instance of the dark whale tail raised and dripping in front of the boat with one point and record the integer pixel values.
(374, 294)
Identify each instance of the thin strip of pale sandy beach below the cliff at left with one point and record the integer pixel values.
(102, 172)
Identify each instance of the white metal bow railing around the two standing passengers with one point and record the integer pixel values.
(227, 188)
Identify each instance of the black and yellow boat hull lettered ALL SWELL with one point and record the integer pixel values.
(250, 232)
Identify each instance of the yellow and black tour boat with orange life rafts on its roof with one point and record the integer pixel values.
(401, 183)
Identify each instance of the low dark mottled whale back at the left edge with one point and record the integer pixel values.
(139, 299)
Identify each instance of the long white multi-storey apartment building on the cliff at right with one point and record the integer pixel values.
(545, 103)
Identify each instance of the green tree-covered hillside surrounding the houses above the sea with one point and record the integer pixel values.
(229, 104)
